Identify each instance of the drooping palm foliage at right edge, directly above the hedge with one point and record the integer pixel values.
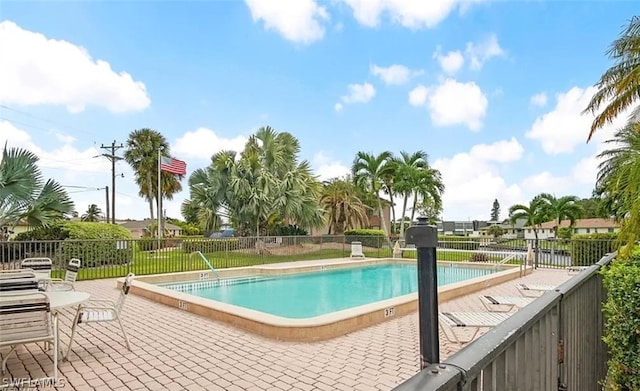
(619, 181)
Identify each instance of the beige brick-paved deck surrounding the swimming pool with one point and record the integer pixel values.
(167, 356)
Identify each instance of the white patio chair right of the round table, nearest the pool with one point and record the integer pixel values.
(95, 311)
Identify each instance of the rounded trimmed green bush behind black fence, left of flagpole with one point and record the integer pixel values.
(97, 244)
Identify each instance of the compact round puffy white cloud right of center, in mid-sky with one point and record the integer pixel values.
(453, 103)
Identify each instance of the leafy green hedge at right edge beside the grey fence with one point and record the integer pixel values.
(622, 324)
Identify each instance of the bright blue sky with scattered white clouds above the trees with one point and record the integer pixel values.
(492, 91)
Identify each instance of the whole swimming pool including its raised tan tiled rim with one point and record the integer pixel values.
(250, 297)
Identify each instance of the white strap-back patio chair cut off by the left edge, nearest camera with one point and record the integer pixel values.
(25, 317)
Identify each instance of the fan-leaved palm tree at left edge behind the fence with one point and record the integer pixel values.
(24, 196)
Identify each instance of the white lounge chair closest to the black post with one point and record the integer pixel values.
(476, 320)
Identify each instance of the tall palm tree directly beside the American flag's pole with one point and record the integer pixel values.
(142, 155)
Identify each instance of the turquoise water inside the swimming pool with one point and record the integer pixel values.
(306, 295)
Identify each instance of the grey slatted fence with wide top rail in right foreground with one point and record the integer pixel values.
(554, 343)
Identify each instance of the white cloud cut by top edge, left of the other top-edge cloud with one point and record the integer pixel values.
(299, 21)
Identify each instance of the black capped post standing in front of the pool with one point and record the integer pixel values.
(425, 238)
